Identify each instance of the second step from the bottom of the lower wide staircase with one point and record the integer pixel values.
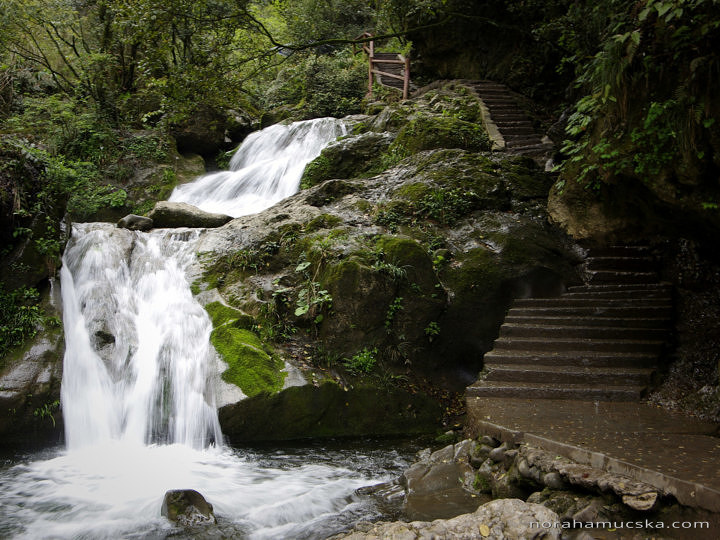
(569, 374)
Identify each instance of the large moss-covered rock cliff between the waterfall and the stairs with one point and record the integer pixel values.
(385, 276)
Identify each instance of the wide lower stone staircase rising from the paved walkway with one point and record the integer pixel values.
(600, 341)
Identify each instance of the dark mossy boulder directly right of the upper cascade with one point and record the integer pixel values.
(351, 157)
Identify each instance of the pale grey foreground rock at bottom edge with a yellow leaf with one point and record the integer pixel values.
(503, 519)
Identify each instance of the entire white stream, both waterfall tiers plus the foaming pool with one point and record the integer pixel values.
(137, 390)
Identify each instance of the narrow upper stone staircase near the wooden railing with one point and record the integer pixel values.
(513, 124)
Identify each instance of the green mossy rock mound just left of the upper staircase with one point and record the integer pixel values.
(429, 132)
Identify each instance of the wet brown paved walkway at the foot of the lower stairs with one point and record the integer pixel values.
(680, 456)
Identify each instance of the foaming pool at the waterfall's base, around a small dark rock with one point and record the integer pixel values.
(116, 491)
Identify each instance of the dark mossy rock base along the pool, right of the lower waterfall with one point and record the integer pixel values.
(302, 412)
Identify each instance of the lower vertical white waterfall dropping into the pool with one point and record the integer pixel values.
(138, 358)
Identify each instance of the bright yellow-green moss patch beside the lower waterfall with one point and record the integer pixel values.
(249, 367)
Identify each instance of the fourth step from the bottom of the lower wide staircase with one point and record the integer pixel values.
(579, 344)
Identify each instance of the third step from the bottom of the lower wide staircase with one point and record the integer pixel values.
(570, 358)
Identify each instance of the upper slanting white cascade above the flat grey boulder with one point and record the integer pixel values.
(266, 168)
